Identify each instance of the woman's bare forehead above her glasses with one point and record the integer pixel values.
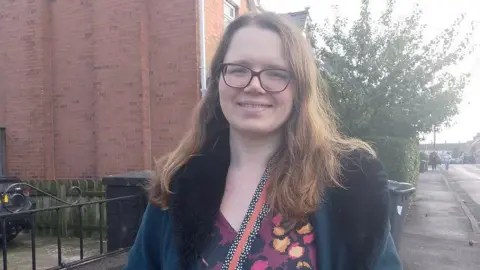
(256, 47)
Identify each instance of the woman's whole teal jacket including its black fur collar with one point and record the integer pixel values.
(351, 226)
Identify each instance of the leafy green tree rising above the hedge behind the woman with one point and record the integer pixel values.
(385, 78)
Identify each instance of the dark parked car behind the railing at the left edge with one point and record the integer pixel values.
(16, 199)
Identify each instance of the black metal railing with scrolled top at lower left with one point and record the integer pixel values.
(30, 216)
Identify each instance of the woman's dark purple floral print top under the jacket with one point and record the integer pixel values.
(274, 247)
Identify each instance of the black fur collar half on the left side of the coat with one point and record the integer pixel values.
(198, 190)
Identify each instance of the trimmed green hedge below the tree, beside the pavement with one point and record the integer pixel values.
(401, 157)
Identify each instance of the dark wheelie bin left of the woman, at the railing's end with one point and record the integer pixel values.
(125, 214)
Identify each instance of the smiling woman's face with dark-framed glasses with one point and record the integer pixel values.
(260, 105)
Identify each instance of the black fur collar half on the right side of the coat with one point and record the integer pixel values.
(360, 207)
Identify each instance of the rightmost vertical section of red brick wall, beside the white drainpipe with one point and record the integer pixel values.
(175, 80)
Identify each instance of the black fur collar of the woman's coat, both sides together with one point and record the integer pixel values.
(358, 214)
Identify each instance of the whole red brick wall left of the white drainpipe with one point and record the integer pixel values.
(95, 87)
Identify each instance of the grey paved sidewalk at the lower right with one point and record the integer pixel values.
(438, 234)
